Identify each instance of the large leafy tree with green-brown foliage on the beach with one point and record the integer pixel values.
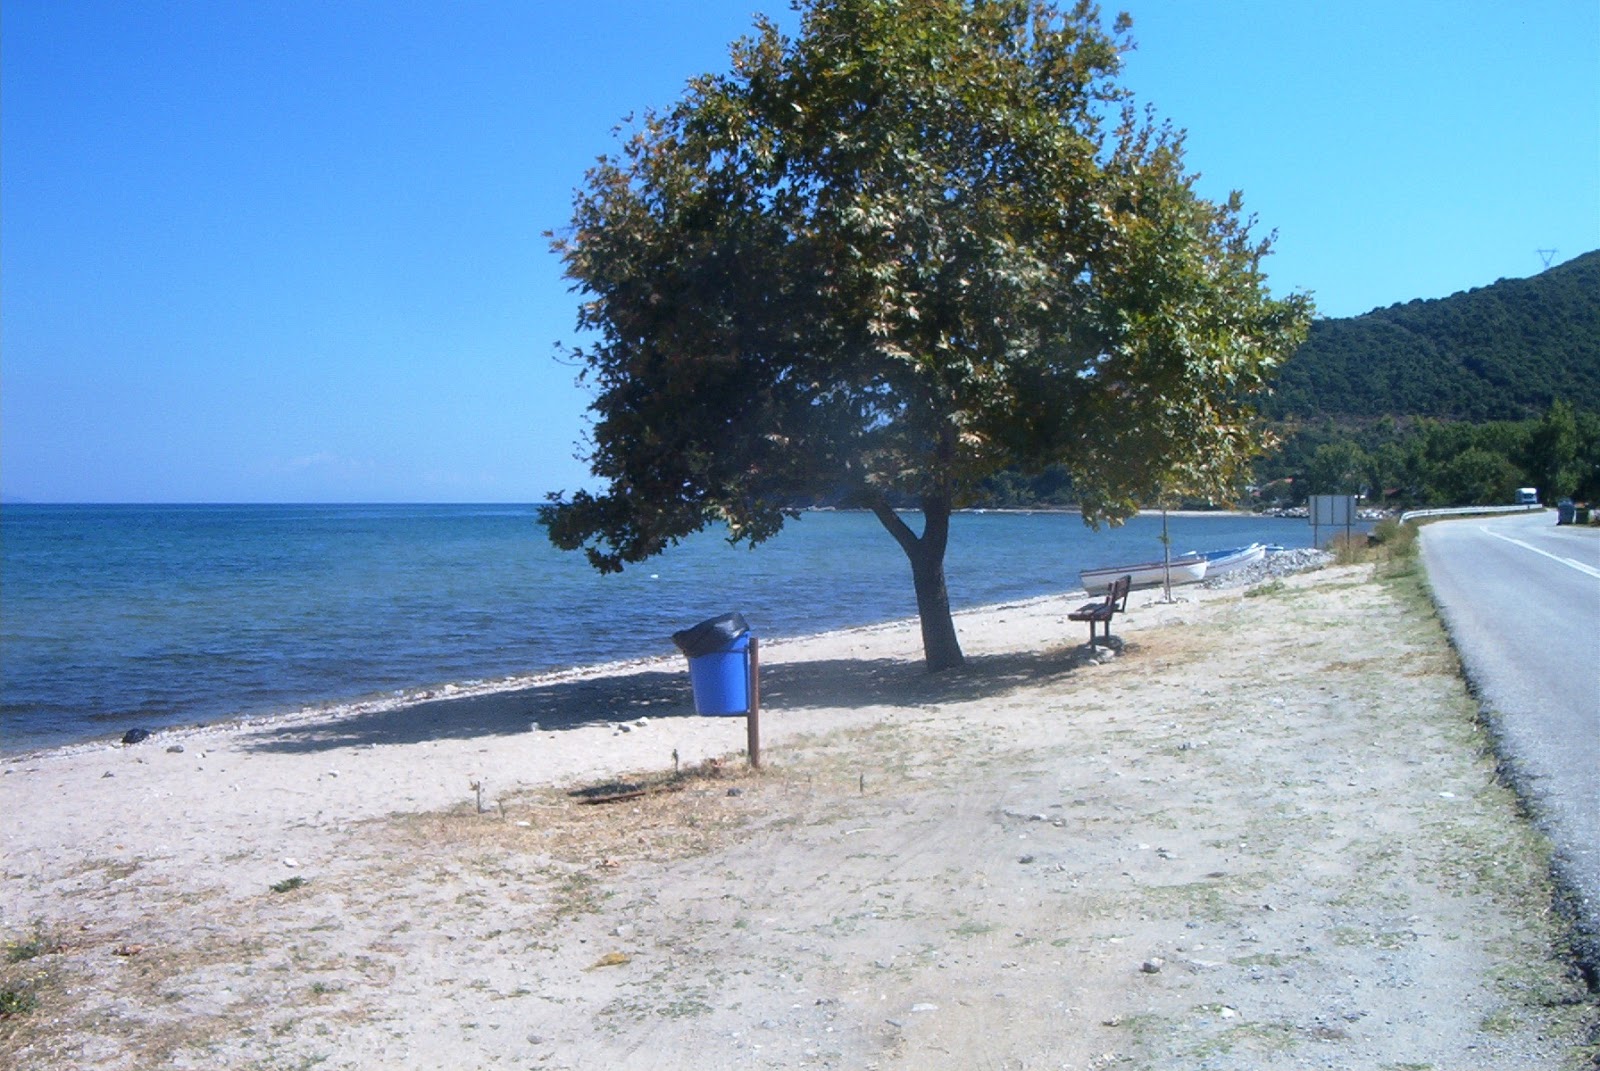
(918, 244)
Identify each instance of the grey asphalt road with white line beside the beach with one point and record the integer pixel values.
(1521, 598)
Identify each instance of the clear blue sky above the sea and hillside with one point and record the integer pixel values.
(290, 251)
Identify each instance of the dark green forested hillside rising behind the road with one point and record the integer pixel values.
(1497, 353)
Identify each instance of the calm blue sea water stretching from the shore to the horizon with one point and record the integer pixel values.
(116, 617)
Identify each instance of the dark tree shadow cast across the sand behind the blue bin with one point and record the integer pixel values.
(630, 696)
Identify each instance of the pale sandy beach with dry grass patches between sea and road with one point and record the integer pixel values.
(1263, 830)
